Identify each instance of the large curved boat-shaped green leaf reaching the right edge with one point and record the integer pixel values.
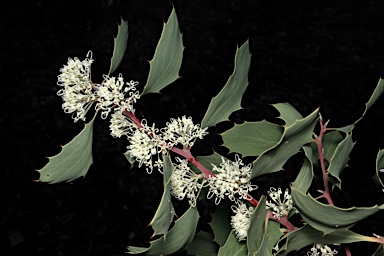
(329, 218)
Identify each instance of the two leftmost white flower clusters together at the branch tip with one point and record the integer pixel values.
(79, 92)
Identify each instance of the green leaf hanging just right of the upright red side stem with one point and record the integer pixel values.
(340, 159)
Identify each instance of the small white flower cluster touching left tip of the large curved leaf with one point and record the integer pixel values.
(277, 206)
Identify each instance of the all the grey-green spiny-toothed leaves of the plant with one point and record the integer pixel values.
(271, 146)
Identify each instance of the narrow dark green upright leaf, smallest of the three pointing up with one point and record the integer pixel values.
(119, 46)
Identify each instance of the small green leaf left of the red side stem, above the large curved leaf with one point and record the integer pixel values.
(304, 178)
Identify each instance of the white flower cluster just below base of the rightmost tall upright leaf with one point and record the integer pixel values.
(183, 131)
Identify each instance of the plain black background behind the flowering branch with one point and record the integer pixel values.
(327, 54)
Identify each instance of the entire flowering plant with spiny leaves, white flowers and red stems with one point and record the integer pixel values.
(242, 225)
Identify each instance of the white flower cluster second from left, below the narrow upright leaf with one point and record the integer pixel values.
(111, 94)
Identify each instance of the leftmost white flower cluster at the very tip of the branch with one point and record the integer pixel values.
(77, 94)
